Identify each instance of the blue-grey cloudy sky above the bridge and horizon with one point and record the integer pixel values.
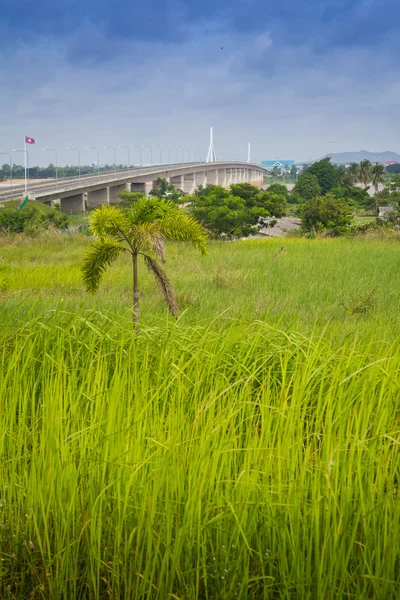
(297, 79)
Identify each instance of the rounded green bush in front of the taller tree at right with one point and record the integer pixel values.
(325, 213)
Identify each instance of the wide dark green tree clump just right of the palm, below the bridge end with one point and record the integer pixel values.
(237, 213)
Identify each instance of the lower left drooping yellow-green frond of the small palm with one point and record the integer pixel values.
(101, 254)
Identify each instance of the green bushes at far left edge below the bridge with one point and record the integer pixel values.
(31, 219)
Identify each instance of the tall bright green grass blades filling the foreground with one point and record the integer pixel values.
(236, 461)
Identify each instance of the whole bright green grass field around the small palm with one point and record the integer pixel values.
(249, 449)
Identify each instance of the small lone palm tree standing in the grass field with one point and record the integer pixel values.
(139, 231)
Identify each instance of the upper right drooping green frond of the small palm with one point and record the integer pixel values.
(178, 226)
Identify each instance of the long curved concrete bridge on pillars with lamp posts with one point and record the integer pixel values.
(76, 194)
